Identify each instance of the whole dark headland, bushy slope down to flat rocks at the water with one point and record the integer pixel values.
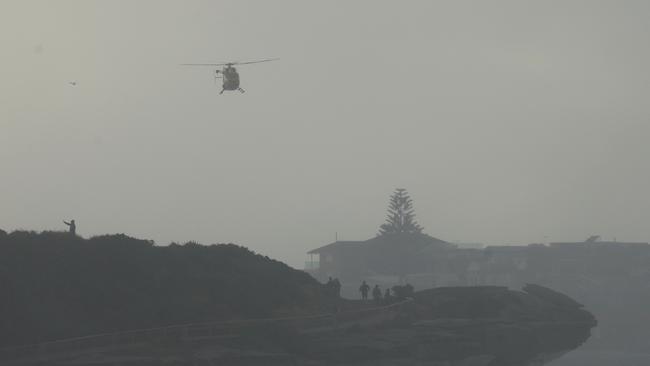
(69, 300)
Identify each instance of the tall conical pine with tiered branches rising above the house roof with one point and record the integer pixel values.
(401, 216)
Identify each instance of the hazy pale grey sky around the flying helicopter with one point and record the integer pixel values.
(507, 121)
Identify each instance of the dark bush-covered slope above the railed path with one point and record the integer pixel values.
(55, 285)
